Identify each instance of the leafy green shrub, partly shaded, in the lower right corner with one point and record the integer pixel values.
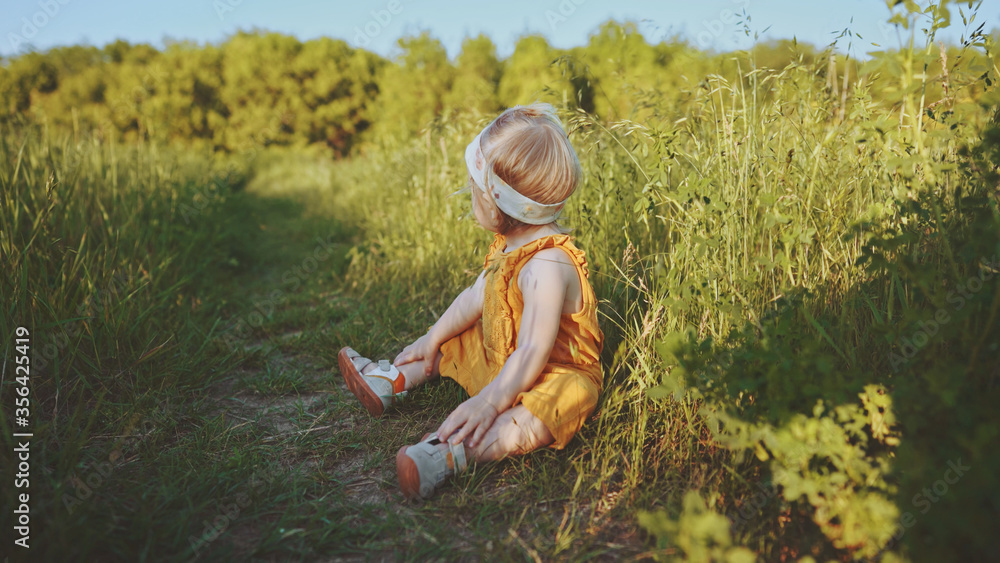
(882, 425)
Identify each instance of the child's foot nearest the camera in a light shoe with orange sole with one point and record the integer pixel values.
(422, 467)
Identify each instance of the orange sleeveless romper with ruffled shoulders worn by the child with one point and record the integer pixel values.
(566, 390)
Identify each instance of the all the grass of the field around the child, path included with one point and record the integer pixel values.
(187, 312)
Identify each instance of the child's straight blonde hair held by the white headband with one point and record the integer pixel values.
(530, 151)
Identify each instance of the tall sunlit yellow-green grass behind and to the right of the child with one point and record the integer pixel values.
(757, 196)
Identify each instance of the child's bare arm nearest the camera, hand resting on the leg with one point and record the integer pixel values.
(543, 281)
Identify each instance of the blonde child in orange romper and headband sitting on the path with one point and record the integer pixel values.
(523, 340)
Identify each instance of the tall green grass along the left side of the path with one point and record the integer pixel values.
(110, 258)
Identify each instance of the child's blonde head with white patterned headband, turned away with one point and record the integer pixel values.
(527, 150)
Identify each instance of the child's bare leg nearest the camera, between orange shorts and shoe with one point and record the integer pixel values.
(516, 431)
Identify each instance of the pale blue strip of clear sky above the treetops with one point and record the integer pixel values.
(377, 24)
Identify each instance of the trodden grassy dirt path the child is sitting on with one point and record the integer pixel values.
(323, 483)
